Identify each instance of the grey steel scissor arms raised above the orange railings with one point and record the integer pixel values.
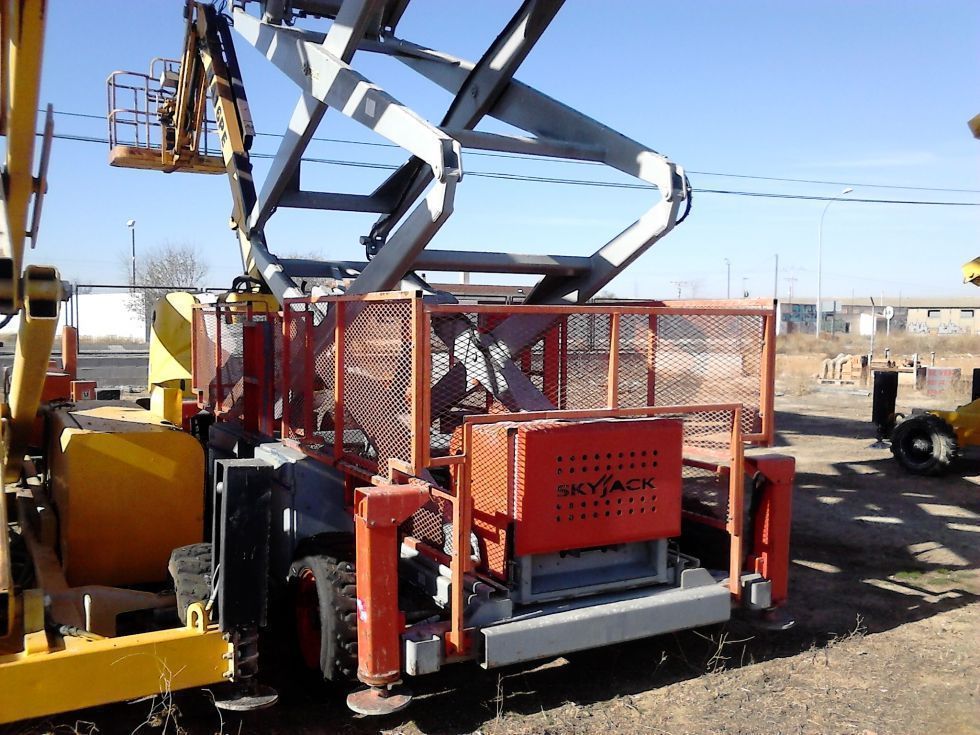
(319, 65)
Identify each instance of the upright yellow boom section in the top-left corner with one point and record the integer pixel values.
(23, 41)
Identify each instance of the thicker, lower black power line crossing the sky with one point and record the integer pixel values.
(500, 175)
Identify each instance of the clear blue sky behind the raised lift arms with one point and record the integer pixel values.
(853, 92)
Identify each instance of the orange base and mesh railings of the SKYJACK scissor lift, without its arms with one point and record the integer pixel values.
(653, 407)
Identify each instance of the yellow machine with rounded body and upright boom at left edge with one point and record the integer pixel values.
(120, 488)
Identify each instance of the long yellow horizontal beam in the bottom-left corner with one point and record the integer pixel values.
(85, 673)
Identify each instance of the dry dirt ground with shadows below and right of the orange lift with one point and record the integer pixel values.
(884, 590)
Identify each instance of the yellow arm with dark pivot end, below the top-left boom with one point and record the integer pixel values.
(42, 286)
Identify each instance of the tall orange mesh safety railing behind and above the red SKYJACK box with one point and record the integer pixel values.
(390, 376)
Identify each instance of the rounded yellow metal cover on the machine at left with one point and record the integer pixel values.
(128, 489)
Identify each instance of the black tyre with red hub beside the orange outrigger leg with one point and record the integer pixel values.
(325, 603)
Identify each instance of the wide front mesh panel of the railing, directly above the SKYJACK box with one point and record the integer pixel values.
(487, 362)
